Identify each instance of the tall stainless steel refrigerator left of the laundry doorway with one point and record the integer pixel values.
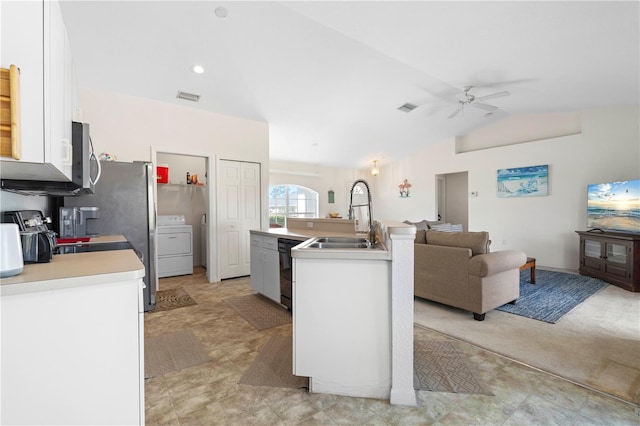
(124, 194)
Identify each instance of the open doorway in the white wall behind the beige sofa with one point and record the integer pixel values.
(452, 199)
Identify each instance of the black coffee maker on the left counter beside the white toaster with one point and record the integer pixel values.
(38, 241)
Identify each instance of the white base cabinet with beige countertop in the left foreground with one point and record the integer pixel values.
(73, 340)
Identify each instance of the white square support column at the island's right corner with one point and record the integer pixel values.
(402, 390)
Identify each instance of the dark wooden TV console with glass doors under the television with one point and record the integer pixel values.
(613, 257)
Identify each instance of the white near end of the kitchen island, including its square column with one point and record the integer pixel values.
(353, 317)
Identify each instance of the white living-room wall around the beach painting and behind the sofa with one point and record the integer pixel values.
(544, 227)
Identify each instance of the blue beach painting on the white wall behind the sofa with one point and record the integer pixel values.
(529, 181)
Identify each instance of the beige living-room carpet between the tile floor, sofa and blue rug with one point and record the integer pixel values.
(597, 344)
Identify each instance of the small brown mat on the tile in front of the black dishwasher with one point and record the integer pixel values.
(259, 311)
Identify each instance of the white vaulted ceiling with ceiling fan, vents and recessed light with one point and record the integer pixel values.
(329, 77)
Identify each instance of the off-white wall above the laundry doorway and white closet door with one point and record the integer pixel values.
(129, 127)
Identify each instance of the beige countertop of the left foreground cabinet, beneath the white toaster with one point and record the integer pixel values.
(75, 270)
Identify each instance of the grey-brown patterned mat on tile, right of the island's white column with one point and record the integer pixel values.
(440, 367)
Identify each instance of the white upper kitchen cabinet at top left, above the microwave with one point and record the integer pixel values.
(34, 38)
